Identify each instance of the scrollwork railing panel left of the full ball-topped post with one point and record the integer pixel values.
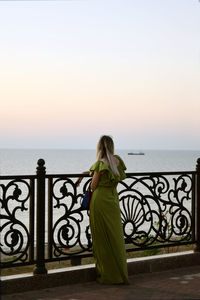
(14, 215)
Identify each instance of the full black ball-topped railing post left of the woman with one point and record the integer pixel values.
(40, 225)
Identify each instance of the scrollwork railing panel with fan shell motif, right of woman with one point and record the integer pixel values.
(156, 209)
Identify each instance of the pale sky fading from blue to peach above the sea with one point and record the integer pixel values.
(71, 71)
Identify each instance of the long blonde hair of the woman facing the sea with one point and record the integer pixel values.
(105, 150)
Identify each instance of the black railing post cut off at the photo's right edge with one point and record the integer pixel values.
(197, 225)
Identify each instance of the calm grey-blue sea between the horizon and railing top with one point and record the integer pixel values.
(24, 162)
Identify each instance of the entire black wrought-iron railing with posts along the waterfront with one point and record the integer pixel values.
(42, 219)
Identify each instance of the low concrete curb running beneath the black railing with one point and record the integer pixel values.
(26, 282)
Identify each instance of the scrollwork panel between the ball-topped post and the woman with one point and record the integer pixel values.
(70, 231)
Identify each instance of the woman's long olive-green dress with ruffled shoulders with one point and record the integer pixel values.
(106, 227)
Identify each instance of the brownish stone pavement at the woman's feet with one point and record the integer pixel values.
(177, 284)
